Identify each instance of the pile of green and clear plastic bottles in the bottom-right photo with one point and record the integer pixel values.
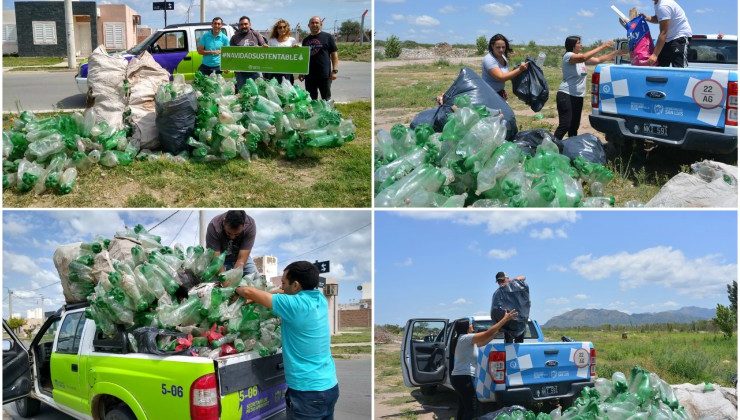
(644, 396)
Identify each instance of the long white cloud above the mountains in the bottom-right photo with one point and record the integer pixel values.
(703, 276)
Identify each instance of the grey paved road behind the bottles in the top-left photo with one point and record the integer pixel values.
(57, 89)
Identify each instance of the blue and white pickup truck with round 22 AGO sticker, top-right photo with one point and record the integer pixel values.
(692, 108)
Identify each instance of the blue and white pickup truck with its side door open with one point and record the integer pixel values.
(534, 371)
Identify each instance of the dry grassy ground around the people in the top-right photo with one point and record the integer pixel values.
(402, 92)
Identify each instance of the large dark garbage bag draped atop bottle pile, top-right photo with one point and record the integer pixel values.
(469, 83)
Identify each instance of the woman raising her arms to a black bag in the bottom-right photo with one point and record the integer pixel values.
(463, 369)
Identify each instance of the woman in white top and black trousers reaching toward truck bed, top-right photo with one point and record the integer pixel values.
(573, 87)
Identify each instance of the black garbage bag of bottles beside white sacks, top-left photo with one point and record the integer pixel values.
(176, 122)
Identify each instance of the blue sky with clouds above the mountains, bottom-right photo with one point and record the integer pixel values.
(442, 264)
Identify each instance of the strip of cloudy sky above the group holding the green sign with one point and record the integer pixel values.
(262, 13)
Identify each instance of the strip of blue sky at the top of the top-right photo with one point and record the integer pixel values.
(547, 22)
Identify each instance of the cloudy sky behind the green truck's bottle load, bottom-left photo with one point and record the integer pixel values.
(30, 238)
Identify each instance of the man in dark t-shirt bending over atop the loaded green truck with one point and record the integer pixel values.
(233, 233)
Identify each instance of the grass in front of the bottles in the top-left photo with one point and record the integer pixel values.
(327, 178)
